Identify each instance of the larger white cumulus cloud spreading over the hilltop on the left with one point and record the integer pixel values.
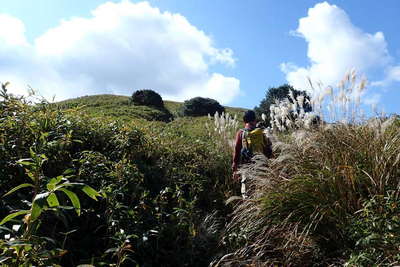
(122, 47)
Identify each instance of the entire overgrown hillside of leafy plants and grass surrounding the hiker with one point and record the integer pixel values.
(150, 193)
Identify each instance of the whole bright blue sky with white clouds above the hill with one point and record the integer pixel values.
(229, 50)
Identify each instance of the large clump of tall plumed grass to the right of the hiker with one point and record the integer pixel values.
(312, 205)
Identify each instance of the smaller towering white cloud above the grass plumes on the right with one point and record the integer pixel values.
(335, 46)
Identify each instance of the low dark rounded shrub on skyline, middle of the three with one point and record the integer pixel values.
(200, 106)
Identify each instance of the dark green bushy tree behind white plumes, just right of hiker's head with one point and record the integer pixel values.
(279, 93)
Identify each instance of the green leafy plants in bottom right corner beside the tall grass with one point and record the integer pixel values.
(376, 232)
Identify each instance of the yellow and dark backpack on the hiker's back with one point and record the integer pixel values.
(253, 141)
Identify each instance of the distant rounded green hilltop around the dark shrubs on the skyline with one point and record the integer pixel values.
(119, 107)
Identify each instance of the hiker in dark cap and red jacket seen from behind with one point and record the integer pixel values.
(250, 140)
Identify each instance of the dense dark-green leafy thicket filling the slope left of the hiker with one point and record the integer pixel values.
(158, 182)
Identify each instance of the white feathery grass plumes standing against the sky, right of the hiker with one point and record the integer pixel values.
(341, 104)
